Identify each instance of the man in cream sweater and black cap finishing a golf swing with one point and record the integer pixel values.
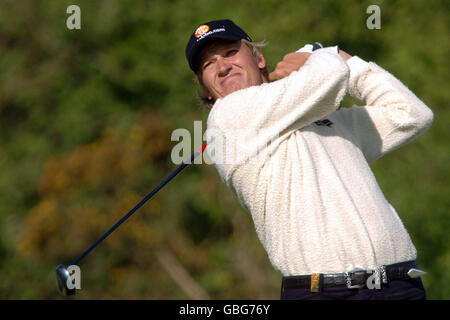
(301, 167)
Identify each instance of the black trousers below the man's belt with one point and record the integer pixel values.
(410, 289)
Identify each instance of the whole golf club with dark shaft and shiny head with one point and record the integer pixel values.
(63, 277)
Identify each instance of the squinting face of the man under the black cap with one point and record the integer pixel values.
(228, 66)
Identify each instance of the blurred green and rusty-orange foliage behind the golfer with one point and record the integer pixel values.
(85, 123)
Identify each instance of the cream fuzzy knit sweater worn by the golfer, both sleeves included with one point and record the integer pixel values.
(315, 203)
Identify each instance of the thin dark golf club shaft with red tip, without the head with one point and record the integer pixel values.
(144, 200)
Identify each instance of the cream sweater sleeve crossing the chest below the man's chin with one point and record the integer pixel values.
(252, 118)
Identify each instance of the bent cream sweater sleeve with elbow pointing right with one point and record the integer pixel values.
(392, 116)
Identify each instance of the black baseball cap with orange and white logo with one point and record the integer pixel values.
(216, 29)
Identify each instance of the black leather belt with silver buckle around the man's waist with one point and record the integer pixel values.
(353, 279)
